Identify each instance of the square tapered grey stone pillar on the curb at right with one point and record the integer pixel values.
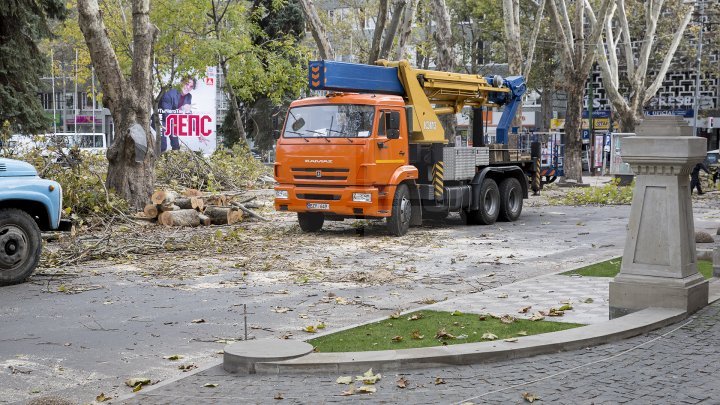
(659, 267)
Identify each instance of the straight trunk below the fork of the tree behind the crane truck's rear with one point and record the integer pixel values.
(573, 120)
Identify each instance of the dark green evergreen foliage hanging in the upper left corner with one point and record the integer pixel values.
(23, 24)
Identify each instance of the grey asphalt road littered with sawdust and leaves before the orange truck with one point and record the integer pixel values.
(88, 331)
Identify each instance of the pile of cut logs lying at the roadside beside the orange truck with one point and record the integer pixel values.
(193, 208)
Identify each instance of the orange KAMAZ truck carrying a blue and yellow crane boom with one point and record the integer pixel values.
(374, 147)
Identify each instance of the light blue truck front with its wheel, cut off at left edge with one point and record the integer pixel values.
(28, 205)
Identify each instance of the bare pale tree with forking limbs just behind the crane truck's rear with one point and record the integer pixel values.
(577, 56)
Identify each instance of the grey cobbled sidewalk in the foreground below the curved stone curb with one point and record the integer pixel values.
(674, 365)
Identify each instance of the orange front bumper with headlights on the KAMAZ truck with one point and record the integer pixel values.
(336, 201)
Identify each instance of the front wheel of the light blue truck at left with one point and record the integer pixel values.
(20, 246)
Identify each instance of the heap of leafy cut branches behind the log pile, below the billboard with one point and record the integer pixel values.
(226, 169)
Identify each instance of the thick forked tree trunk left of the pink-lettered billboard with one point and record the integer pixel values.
(131, 157)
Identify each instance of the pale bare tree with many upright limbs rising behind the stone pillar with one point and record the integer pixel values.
(630, 111)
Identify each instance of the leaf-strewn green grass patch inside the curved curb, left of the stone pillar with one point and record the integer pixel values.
(431, 328)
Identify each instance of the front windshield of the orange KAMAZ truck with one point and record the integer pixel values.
(338, 120)
